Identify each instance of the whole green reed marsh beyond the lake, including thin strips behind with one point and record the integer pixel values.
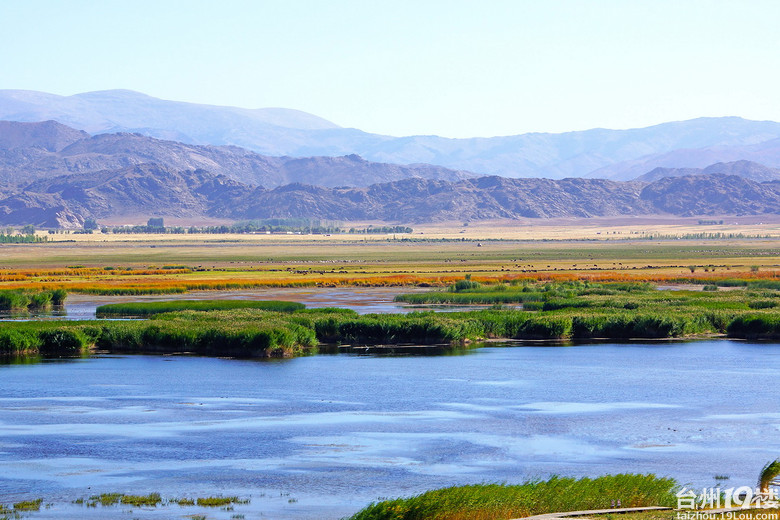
(561, 311)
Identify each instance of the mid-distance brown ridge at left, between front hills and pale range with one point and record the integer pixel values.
(30, 151)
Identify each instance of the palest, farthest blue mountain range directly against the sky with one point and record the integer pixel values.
(598, 153)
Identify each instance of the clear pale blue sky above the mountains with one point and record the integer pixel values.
(400, 67)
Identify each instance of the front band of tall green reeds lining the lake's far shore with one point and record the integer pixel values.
(251, 333)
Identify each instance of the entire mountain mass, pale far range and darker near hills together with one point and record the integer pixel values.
(54, 175)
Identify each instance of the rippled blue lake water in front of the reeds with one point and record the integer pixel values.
(322, 436)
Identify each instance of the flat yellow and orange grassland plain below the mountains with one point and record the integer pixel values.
(438, 256)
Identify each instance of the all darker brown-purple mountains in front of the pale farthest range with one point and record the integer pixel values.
(56, 176)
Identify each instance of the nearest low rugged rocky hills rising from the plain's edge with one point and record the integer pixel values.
(142, 191)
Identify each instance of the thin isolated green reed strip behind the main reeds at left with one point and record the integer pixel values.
(149, 308)
